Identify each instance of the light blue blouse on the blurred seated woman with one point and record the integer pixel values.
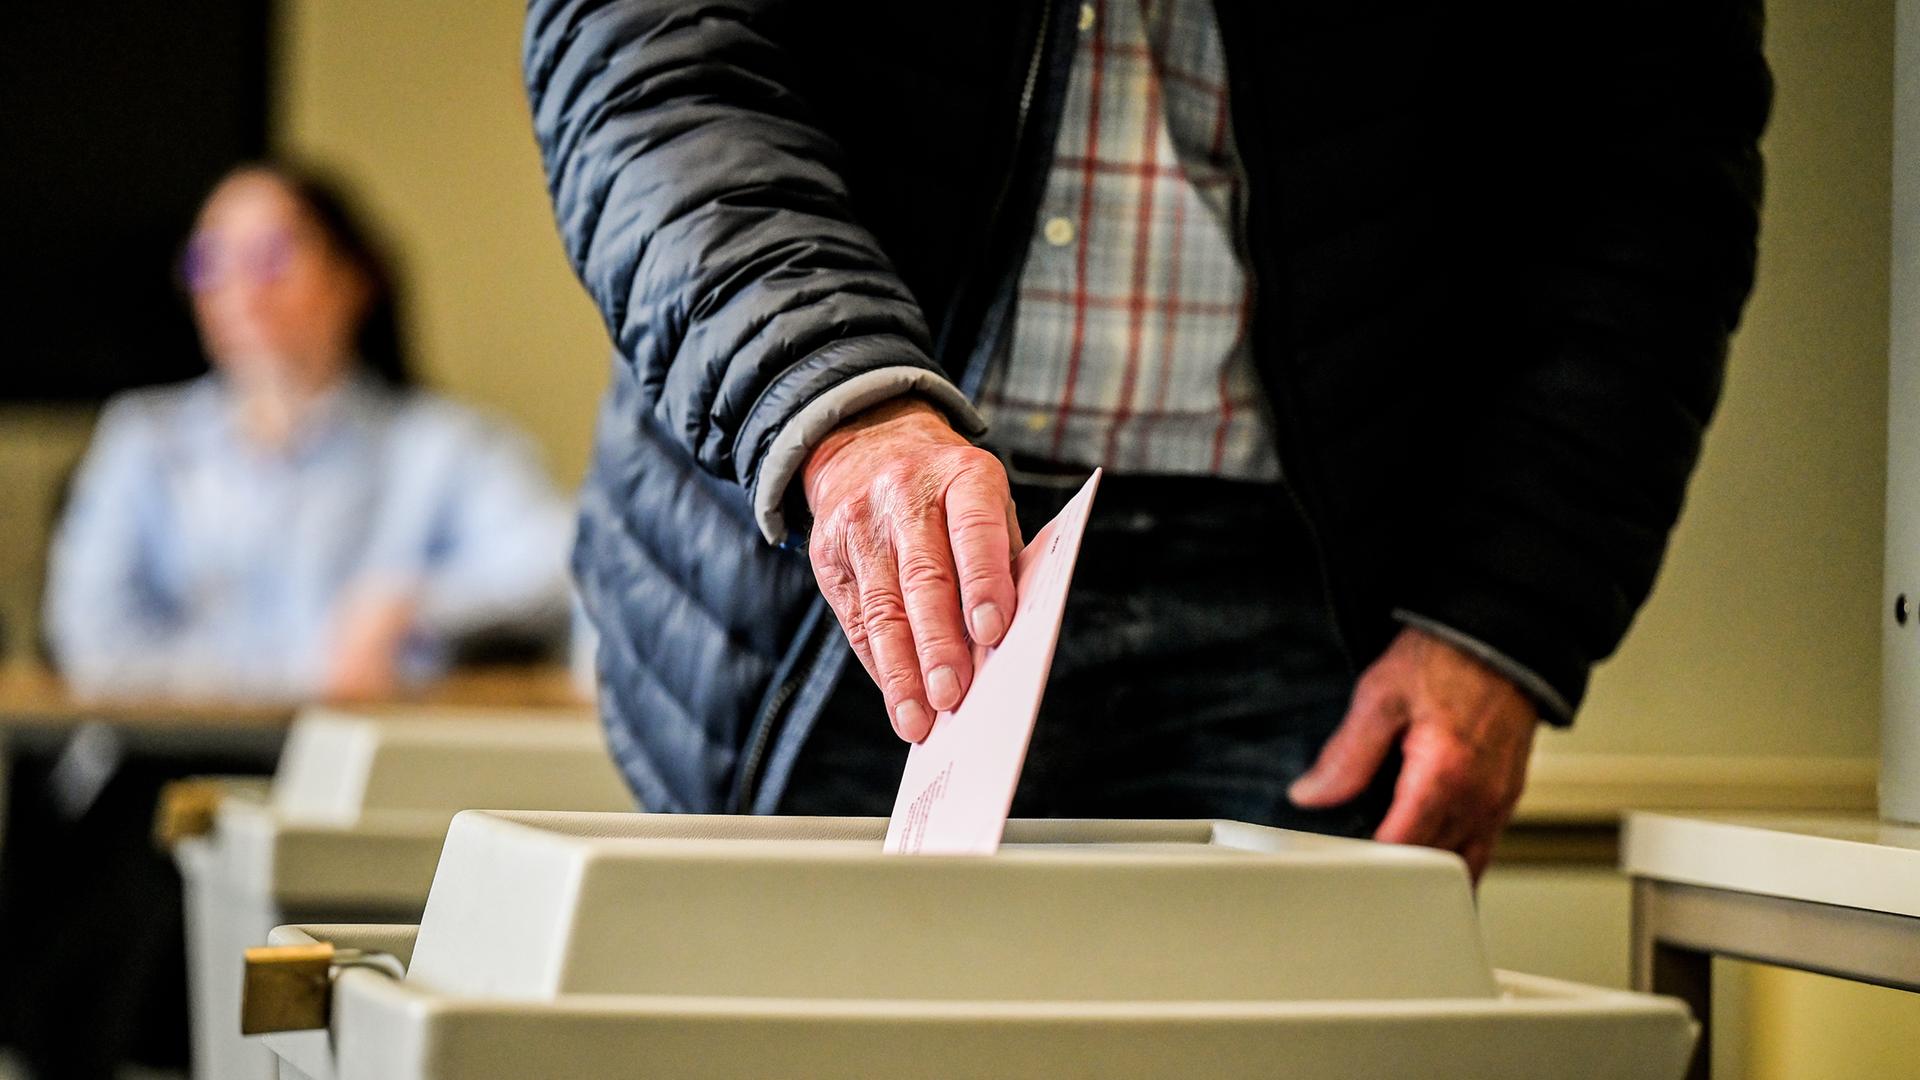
(195, 562)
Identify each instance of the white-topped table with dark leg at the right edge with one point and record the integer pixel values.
(1833, 895)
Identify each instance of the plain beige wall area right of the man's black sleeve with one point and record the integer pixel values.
(1764, 631)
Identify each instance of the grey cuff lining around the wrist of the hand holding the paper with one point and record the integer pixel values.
(830, 410)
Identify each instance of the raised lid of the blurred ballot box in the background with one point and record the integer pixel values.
(341, 766)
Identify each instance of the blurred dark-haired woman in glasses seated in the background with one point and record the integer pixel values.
(300, 522)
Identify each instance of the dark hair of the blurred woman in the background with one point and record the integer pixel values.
(348, 233)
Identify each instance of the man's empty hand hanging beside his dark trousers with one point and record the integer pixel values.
(1464, 735)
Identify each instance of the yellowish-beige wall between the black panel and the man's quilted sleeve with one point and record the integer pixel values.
(421, 103)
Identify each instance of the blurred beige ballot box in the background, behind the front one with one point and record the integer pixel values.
(350, 829)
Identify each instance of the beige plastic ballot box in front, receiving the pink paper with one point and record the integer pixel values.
(602, 946)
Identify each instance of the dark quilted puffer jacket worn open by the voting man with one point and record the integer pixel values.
(1499, 251)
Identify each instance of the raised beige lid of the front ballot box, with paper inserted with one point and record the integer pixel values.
(546, 906)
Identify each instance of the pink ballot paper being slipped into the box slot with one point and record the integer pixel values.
(959, 783)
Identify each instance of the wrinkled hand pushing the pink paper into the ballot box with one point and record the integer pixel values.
(913, 545)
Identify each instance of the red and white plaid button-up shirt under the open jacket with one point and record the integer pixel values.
(1132, 337)
